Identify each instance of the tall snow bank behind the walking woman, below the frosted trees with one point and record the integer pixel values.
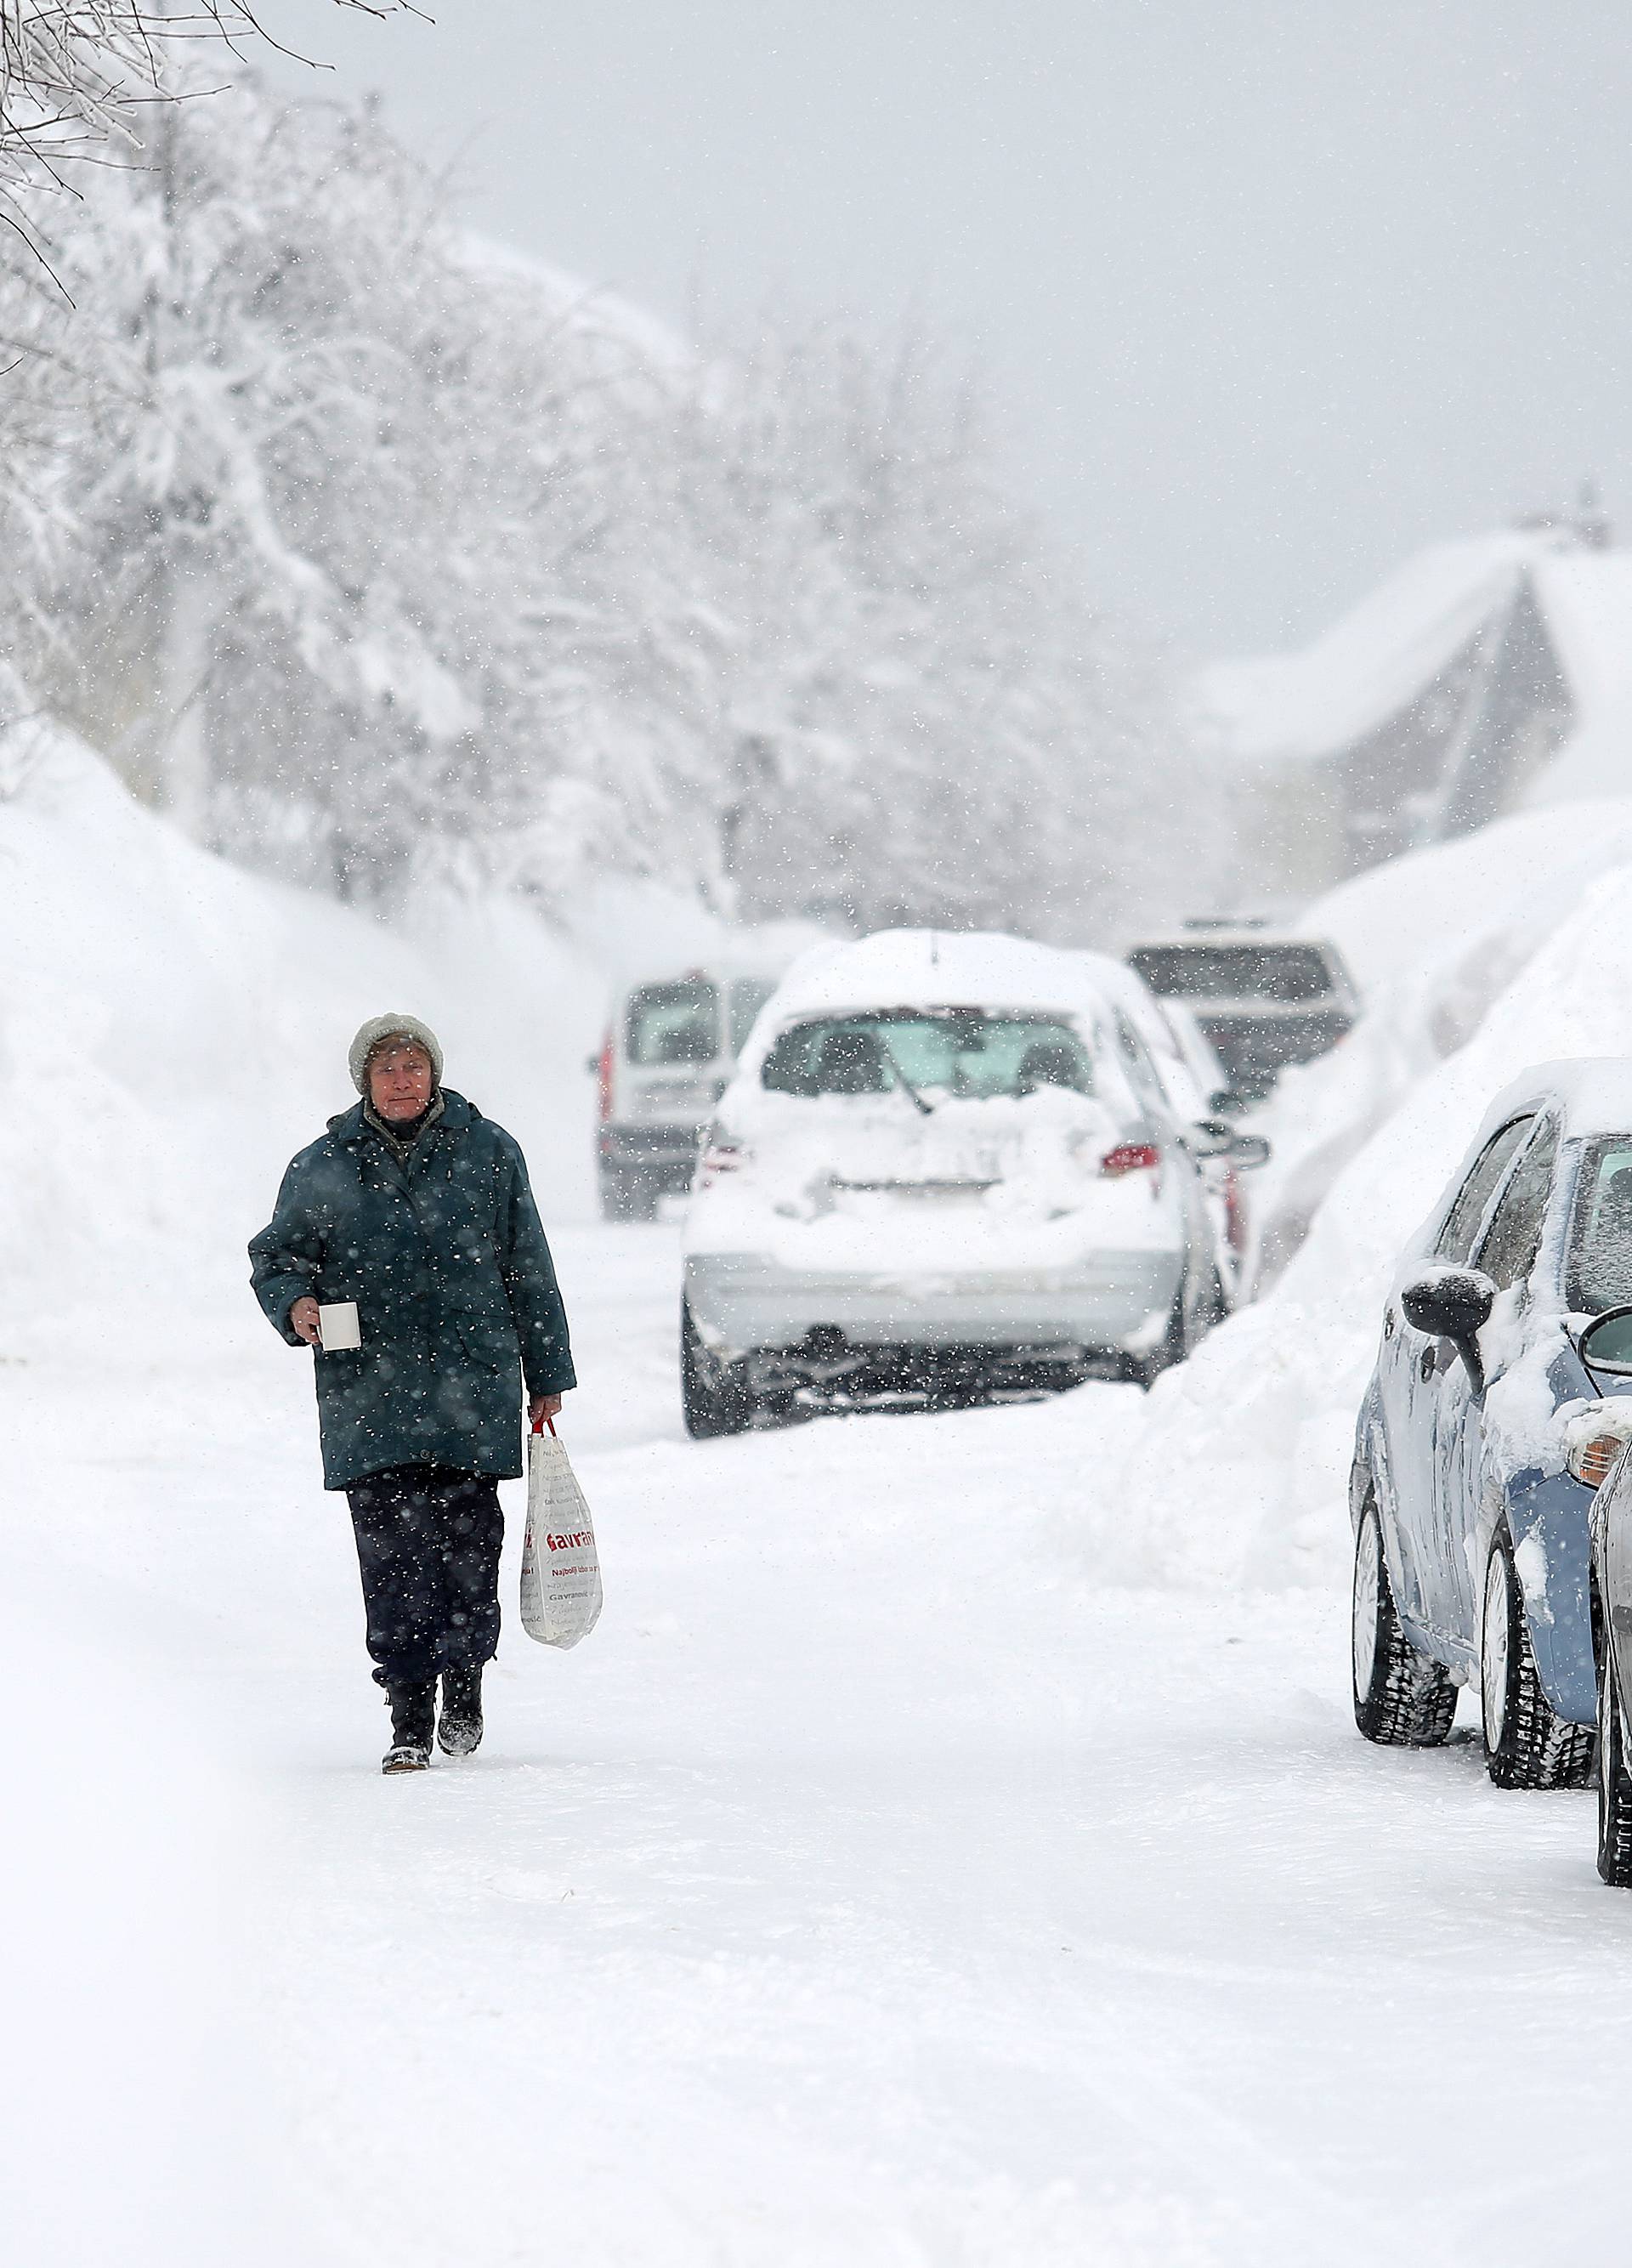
(173, 1031)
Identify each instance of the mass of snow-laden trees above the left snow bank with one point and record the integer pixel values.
(368, 555)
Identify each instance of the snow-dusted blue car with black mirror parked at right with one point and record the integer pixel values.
(1484, 1437)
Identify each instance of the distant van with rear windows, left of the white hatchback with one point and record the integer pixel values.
(672, 1044)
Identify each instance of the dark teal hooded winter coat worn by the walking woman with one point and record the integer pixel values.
(454, 1283)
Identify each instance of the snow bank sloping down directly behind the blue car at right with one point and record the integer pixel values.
(1236, 1471)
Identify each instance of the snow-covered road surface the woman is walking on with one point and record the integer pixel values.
(872, 1888)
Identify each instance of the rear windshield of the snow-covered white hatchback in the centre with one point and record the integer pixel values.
(933, 1051)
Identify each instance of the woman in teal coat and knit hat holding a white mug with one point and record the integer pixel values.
(416, 1212)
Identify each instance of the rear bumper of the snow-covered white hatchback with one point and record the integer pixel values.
(1119, 1303)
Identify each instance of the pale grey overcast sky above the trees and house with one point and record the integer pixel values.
(1270, 289)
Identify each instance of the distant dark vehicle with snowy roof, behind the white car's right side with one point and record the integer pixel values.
(1264, 999)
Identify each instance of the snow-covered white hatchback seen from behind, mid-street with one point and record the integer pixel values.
(944, 1169)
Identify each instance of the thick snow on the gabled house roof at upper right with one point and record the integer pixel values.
(1397, 641)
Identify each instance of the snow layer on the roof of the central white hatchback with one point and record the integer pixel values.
(944, 970)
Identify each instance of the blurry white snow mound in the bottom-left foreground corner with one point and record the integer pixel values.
(137, 2106)
